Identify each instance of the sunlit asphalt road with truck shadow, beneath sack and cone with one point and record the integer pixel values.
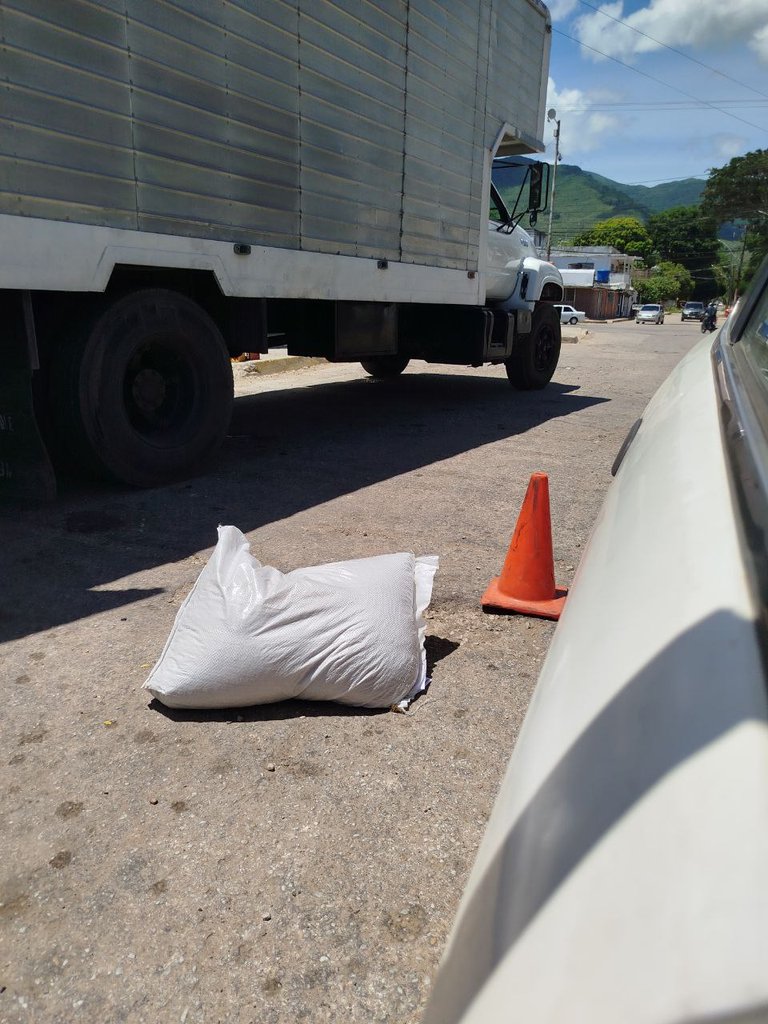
(154, 869)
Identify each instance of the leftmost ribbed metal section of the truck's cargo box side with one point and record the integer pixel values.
(66, 149)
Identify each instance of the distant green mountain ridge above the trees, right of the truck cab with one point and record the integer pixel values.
(584, 198)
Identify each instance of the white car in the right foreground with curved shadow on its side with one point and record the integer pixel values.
(624, 873)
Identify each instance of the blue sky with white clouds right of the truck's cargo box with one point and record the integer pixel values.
(634, 130)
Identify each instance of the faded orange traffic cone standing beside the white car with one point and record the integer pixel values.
(528, 581)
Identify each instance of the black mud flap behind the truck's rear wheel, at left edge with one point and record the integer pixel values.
(26, 472)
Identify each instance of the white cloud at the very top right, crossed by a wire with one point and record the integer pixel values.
(681, 24)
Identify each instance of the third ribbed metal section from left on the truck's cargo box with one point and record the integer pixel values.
(353, 87)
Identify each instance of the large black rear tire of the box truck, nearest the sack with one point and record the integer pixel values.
(146, 391)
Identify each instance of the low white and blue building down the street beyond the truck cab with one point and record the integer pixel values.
(598, 280)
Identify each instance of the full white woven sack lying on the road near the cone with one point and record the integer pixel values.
(248, 634)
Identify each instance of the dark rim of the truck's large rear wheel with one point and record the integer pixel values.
(160, 390)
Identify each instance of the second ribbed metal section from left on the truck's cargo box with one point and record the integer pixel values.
(202, 169)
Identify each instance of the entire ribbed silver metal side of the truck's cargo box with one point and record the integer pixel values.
(356, 127)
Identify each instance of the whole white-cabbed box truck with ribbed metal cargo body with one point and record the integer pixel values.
(182, 182)
